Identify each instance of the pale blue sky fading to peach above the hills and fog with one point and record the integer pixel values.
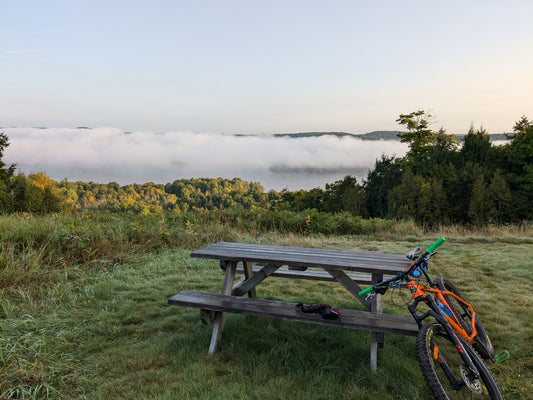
(265, 66)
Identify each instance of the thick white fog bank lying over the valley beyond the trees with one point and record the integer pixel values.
(110, 155)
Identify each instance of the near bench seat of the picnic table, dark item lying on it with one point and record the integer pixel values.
(352, 319)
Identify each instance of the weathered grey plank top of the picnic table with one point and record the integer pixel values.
(362, 261)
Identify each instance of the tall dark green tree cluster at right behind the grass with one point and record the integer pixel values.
(439, 181)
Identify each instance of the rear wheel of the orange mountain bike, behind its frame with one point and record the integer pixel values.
(464, 316)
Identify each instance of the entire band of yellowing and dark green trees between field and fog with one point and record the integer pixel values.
(439, 181)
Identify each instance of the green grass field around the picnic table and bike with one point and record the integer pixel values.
(83, 314)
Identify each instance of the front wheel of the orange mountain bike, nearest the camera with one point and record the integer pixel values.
(445, 371)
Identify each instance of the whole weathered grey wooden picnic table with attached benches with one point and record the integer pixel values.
(258, 262)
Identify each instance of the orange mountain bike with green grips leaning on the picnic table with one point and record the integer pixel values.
(450, 346)
